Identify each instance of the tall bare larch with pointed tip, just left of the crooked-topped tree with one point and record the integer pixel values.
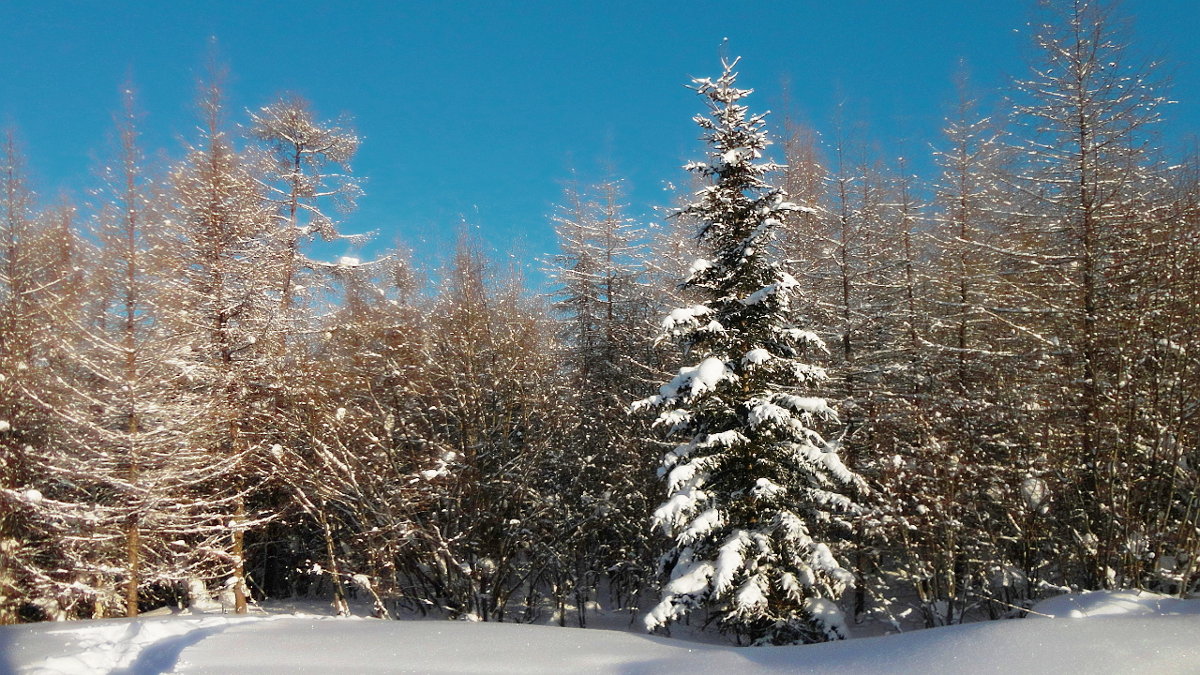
(225, 265)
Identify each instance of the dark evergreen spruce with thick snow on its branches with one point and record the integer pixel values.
(753, 486)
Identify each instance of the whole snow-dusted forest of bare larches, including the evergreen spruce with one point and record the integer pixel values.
(821, 391)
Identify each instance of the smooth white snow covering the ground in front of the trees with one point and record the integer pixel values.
(1123, 632)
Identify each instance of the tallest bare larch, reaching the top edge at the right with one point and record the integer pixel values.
(1087, 115)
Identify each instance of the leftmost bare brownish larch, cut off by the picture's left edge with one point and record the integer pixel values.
(47, 533)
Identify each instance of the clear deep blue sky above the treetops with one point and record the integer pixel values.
(477, 111)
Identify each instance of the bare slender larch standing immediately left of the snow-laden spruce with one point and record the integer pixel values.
(604, 303)
